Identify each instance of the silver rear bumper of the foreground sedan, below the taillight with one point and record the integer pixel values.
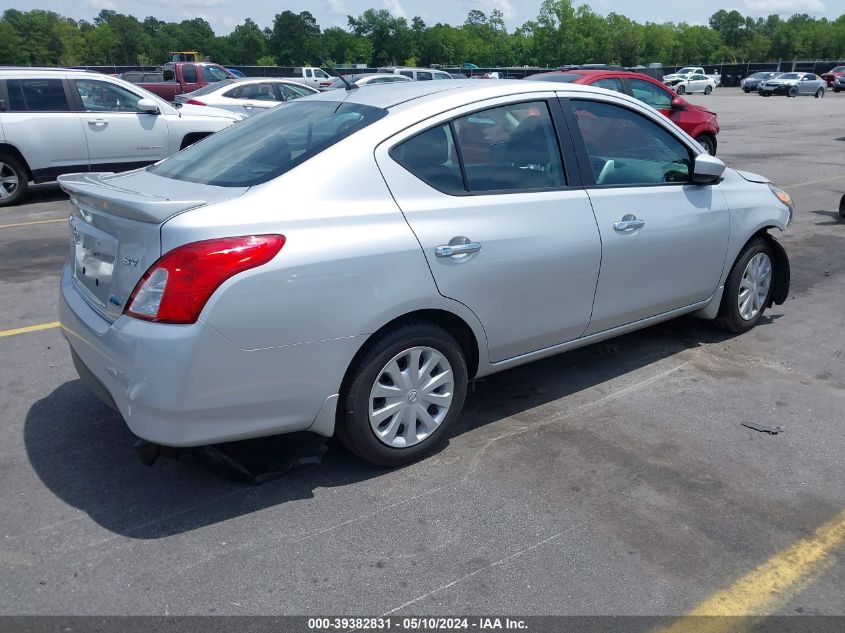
(185, 385)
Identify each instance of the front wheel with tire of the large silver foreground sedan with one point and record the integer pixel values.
(742, 279)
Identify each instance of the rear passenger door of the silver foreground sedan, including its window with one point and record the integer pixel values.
(504, 229)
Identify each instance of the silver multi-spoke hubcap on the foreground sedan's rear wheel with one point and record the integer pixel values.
(411, 397)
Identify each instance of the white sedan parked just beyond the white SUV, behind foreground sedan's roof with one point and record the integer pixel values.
(246, 96)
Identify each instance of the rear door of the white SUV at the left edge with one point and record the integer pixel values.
(39, 121)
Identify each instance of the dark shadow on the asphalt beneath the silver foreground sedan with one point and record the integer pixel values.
(86, 456)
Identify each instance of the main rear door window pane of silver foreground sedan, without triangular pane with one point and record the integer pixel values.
(513, 147)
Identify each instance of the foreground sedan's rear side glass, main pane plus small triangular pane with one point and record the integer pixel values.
(505, 149)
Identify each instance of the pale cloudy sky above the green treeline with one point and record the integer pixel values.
(224, 15)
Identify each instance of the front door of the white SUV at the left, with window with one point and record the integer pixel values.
(119, 136)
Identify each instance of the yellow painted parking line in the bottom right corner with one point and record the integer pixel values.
(760, 589)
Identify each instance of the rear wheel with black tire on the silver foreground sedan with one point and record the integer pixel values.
(428, 343)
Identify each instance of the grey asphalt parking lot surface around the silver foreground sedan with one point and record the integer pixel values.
(616, 479)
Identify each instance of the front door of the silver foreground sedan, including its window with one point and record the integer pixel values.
(664, 238)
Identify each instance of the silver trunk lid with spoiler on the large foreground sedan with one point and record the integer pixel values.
(115, 229)
